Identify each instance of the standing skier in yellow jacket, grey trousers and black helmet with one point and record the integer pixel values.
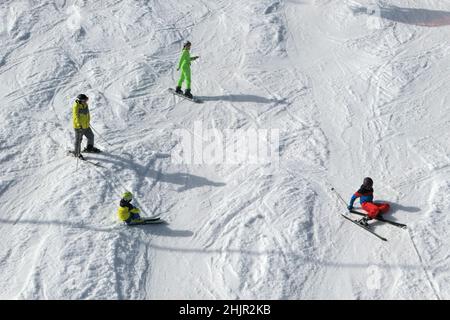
(81, 124)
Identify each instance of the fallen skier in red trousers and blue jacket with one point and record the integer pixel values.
(365, 193)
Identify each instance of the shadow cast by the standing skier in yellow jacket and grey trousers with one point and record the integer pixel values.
(186, 181)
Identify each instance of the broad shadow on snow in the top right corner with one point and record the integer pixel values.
(412, 16)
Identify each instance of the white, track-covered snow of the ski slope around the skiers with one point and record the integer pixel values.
(352, 95)
